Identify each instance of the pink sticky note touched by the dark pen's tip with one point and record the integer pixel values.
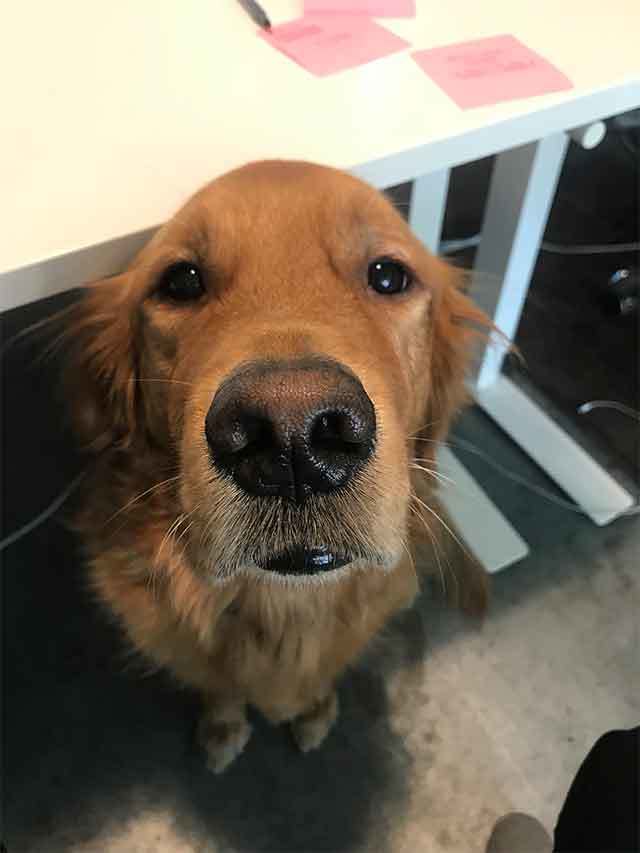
(324, 44)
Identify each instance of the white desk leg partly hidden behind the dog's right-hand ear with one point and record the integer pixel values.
(482, 526)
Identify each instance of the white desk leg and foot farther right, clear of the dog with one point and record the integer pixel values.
(522, 190)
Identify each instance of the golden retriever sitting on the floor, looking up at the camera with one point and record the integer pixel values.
(255, 391)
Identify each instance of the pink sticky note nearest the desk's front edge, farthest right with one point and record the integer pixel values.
(487, 71)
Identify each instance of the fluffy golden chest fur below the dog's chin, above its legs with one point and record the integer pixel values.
(275, 644)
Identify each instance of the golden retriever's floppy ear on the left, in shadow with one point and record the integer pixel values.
(99, 379)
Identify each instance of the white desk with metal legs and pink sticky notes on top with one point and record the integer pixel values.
(113, 113)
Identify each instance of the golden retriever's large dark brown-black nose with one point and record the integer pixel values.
(291, 429)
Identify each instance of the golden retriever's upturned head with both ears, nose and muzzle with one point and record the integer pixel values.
(283, 340)
